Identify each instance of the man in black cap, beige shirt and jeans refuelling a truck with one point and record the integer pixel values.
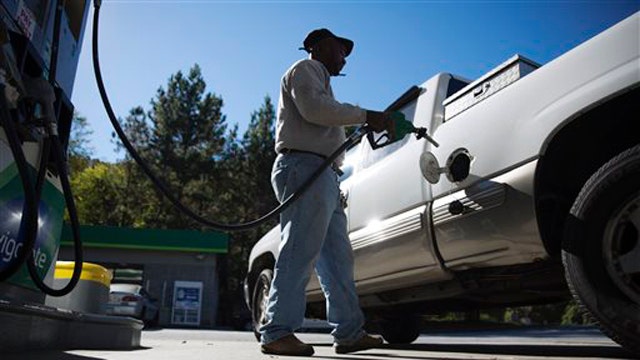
(314, 228)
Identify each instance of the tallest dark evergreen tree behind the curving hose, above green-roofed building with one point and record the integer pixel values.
(182, 138)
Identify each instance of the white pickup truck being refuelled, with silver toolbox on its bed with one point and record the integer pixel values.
(539, 197)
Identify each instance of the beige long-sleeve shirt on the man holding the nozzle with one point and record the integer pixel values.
(309, 117)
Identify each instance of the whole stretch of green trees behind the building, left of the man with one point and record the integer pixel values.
(187, 143)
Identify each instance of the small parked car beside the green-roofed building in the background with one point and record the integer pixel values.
(133, 300)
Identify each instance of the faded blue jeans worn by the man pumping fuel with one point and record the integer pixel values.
(313, 234)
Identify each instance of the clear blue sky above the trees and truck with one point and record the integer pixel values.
(243, 47)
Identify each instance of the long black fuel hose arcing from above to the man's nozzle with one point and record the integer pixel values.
(351, 140)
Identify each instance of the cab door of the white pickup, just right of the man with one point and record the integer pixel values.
(387, 201)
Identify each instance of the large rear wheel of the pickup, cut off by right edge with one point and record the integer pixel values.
(601, 248)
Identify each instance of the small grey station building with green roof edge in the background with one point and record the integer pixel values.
(179, 268)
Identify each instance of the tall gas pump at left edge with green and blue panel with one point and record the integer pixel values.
(39, 51)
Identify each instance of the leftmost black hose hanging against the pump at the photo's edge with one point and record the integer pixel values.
(29, 219)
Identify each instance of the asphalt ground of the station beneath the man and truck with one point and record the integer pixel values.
(524, 343)
